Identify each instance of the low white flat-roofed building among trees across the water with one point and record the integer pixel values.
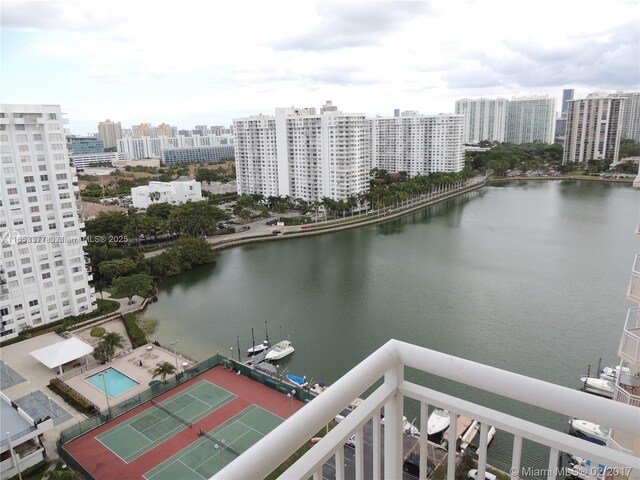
(179, 191)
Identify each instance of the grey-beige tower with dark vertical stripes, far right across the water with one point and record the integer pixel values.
(593, 128)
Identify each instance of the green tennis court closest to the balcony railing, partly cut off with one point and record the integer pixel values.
(209, 454)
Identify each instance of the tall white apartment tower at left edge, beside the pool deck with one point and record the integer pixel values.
(43, 272)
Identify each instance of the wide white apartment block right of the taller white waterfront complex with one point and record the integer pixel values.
(418, 144)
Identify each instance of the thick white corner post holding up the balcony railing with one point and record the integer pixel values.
(393, 412)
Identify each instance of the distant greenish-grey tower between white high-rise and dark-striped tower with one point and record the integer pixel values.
(531, 119)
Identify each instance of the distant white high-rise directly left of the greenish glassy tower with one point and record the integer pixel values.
(484, 119)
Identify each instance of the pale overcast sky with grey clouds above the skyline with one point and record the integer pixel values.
(207, 62)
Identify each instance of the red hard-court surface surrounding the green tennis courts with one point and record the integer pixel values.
(103, 464)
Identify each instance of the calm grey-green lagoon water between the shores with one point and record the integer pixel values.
(525, 276)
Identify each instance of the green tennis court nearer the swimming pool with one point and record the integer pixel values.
(141, 433)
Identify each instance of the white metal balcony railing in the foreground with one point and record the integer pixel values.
(388, 363)
